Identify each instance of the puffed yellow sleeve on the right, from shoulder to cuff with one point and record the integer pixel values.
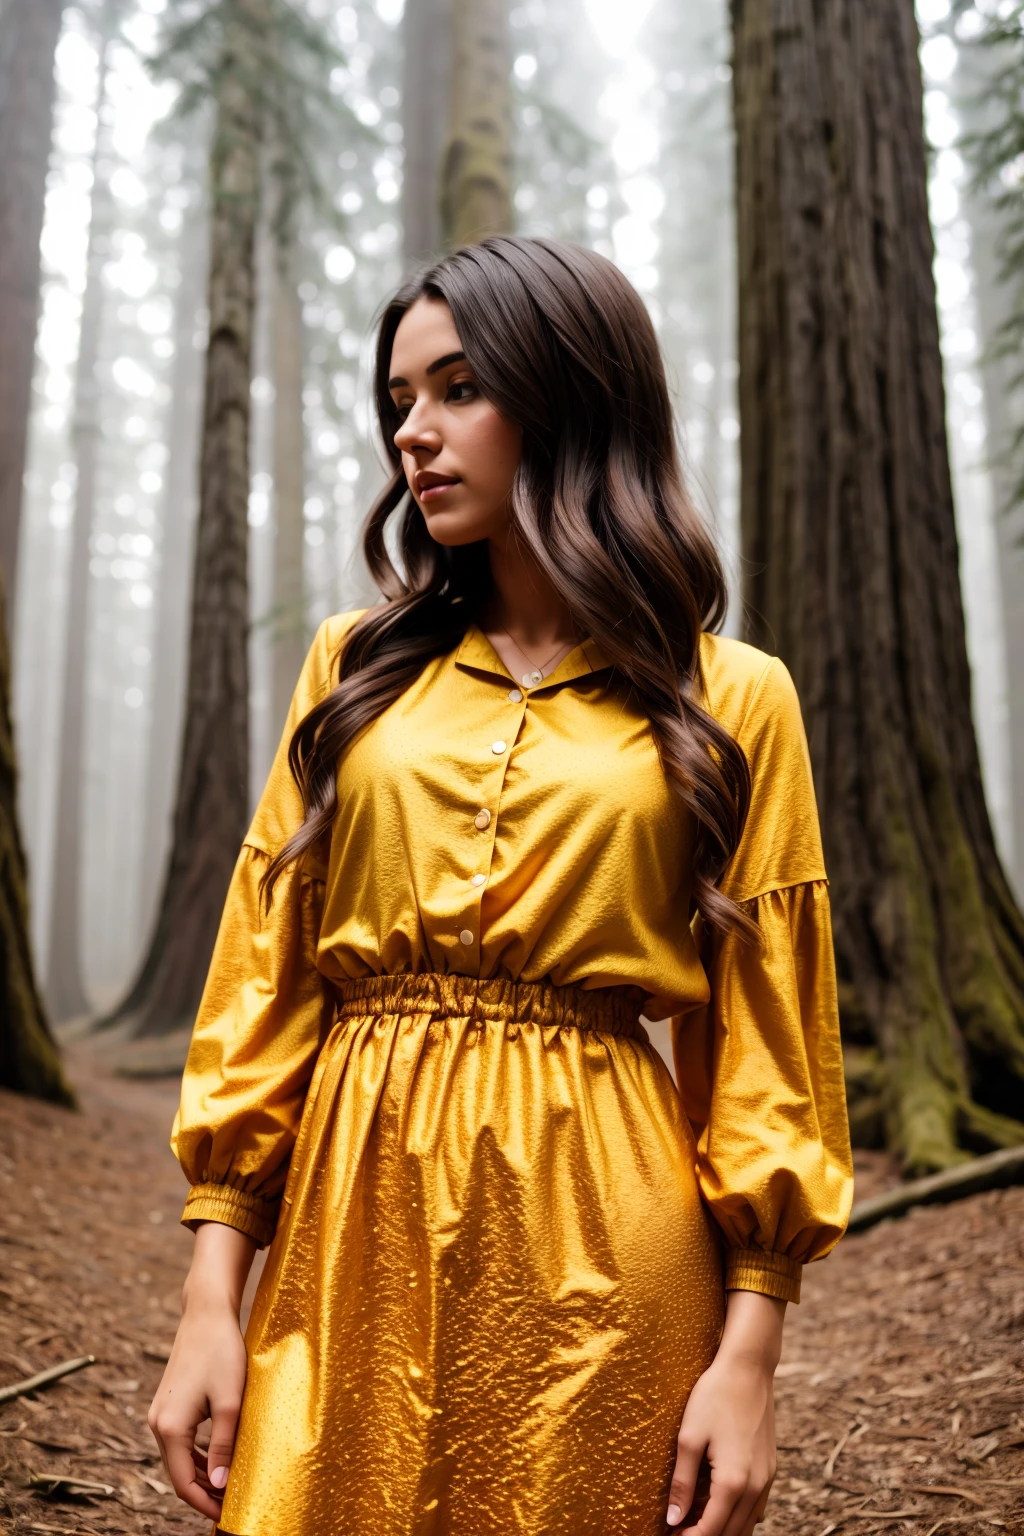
(761, 1067)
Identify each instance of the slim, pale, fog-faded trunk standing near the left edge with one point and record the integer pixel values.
(65, 990)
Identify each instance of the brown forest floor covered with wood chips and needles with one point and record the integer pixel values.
(900, 1395)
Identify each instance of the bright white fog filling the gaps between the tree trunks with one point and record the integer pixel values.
(623, 142)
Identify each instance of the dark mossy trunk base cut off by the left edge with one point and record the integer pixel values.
(28, 1056)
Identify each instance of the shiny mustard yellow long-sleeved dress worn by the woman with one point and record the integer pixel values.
(500, 1237)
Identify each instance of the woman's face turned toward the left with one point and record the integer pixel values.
(458, 452)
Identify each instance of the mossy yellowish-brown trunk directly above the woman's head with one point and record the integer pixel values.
(477, 174)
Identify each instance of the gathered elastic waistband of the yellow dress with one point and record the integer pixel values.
(615, 1011)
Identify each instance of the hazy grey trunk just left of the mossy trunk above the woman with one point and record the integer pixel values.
(426, 93)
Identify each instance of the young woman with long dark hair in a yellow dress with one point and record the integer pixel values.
(517, 1280)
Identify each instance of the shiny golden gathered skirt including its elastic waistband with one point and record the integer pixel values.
(494, 1282)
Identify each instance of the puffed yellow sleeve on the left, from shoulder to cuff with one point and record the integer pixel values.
(265, 1011)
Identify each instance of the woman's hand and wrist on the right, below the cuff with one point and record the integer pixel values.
(732, 1420)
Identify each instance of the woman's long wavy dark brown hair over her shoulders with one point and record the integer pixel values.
(563, 345)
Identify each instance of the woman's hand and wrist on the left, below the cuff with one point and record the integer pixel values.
(206, 1372)
